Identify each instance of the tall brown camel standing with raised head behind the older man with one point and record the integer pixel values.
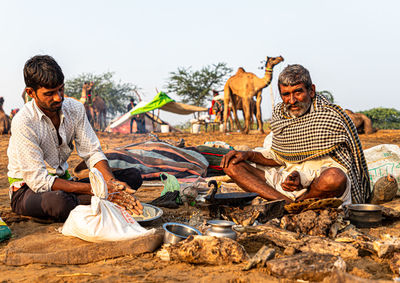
(246, 85)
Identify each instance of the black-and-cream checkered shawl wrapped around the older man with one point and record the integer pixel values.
(325, 131)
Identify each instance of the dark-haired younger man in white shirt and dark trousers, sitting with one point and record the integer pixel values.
(43, 137)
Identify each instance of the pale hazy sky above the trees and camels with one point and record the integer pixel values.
(351, 48)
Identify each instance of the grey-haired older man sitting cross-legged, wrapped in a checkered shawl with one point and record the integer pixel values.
(315, 150)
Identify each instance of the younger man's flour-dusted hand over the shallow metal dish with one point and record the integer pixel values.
(119, 193)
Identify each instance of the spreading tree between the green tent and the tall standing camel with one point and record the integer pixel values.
(195, 87)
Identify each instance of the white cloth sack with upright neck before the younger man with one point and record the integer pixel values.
(102, 220)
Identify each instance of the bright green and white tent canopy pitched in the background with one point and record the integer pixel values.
(160, 101)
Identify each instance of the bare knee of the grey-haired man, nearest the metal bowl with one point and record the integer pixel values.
(332, 182)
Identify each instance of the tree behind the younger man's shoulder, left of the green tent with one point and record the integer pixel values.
(116, 95)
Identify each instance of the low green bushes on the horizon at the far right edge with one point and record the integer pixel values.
(384, 118)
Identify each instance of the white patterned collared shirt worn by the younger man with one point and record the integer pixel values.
(34, 151)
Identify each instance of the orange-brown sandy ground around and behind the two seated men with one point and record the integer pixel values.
(147, 267)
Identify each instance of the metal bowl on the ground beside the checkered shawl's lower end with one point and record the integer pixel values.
(365, 215)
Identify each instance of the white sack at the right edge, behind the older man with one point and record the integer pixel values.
(382, 160)
